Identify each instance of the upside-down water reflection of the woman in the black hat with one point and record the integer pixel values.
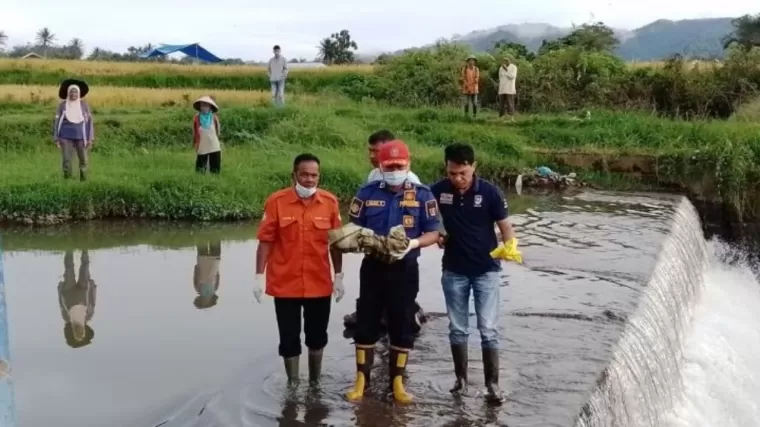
(76, 296)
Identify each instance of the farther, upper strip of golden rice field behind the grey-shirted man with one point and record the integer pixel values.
(107, 68)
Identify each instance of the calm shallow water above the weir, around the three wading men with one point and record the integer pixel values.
(157, 358)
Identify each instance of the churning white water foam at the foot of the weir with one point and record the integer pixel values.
(721, 369)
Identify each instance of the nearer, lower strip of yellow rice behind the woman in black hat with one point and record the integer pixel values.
(114, 96)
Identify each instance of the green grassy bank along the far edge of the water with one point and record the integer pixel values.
(141, 166)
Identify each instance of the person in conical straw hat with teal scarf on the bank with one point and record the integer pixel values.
(206, 136)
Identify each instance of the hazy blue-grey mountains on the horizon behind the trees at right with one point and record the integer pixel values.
(660, 39)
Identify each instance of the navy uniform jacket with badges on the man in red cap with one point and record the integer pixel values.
(378, 208)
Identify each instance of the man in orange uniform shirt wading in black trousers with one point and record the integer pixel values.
(293, 250)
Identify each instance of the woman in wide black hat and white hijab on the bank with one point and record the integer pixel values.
(72, 129)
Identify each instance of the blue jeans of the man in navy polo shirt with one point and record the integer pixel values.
(485, 291)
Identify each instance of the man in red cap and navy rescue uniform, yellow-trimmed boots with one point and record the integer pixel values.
(391, 286)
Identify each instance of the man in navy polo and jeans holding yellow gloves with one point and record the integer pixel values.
(469, 208)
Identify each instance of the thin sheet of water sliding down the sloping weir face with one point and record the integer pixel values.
(643, 380)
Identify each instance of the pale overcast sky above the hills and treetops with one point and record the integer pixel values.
(248, 28)
